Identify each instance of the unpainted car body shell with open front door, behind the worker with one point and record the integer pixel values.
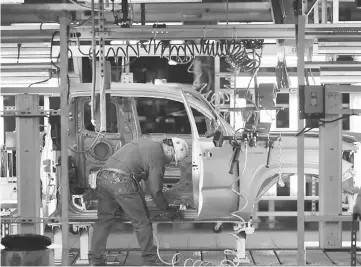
(212, 184)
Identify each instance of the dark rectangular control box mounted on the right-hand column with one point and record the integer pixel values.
(312, 102)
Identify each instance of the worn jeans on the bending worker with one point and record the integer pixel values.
(113, 190)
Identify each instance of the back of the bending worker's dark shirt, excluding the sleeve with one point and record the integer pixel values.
(137, 156)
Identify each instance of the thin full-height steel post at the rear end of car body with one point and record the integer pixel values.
(64, 136)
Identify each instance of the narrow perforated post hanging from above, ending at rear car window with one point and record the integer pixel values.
(103, 118)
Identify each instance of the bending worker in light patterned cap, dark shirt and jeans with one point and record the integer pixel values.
(117, 184)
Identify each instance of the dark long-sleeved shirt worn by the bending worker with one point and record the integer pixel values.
(146, 160)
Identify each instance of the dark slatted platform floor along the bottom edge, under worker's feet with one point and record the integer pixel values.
(257, 257)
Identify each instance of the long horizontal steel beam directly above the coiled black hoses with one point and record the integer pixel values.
(170, 33)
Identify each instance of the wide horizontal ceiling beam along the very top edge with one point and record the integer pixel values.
(241, 12)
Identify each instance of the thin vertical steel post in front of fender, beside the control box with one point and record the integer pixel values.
(301, 253)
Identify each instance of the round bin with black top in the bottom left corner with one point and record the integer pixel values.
(26, 250)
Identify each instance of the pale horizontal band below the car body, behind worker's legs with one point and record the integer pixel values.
(187, 236)
